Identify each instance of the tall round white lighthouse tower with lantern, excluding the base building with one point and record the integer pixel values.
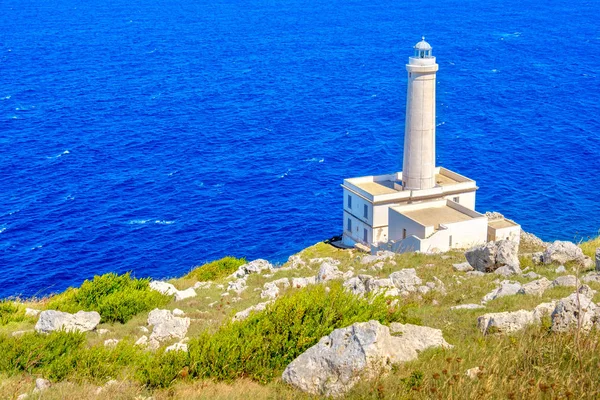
(418, 170)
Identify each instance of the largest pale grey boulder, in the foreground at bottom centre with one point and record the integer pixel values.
(339, 360)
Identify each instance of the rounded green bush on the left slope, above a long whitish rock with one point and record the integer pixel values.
(116, 297)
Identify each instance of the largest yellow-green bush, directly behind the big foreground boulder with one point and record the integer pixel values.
(261, 346)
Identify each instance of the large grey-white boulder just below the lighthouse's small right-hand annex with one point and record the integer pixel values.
(493, 255)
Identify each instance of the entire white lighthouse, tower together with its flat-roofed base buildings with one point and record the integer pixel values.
(424, 208)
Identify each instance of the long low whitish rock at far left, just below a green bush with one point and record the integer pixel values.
(82, 321)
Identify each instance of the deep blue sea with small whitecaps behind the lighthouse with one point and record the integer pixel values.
(153, 136)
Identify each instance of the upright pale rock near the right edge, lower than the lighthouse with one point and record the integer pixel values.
(575, 310)
